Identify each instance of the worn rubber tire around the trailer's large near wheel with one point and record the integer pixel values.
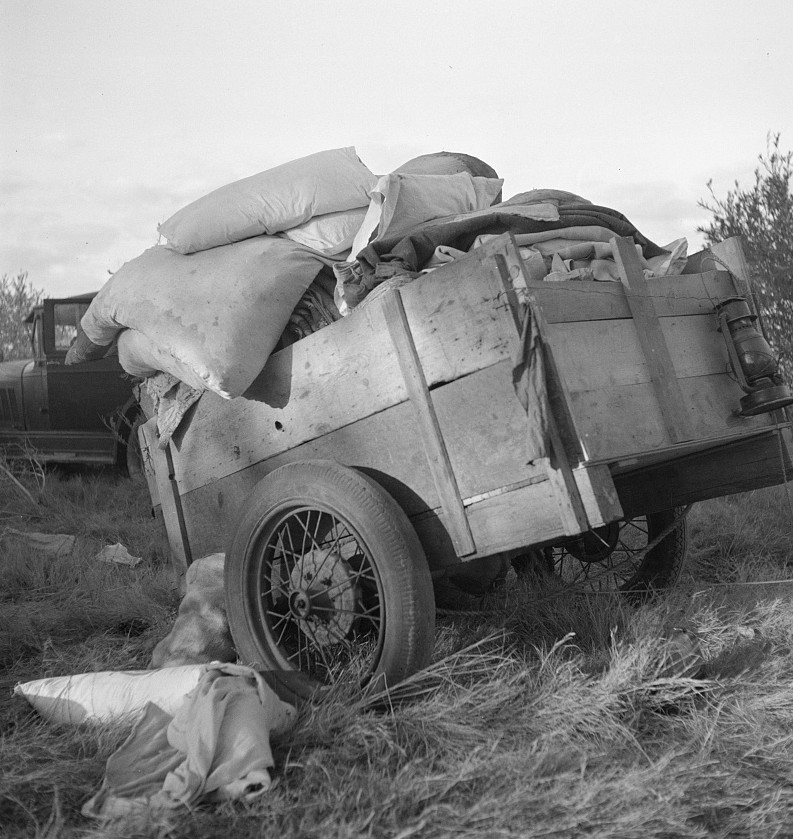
(407, 604)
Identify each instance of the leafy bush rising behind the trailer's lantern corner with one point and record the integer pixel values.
(763, 216)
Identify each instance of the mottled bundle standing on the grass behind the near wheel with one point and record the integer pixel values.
(201, 630)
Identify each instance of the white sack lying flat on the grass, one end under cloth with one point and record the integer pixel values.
(109, 695)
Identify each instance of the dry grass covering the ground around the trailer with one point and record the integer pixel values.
(562, 716)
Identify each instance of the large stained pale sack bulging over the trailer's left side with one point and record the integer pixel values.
(211, 318)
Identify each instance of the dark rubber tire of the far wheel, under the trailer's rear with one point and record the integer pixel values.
(660, 569)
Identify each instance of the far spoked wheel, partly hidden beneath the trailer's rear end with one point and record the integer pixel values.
(613, 557)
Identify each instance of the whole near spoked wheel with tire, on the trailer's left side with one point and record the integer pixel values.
(326, 579)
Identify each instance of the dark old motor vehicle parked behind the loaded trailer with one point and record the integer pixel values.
(83, 414)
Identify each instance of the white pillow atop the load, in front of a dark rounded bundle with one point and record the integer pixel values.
(402, 201)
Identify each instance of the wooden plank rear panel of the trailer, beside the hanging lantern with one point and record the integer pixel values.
(633, 390)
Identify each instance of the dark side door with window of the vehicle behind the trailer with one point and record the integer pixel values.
(81, 396)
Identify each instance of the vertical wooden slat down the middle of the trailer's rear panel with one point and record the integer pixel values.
(656, 352)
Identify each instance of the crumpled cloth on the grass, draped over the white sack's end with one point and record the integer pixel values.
(215, 746)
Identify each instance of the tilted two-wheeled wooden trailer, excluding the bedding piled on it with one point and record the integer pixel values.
(468, 417)
